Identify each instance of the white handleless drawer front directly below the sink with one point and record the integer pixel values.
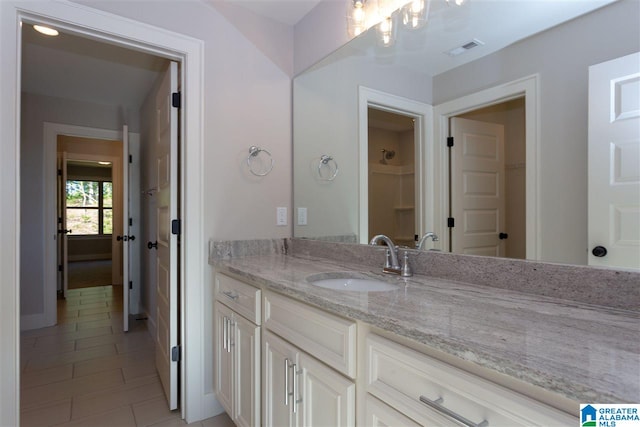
(328, 338)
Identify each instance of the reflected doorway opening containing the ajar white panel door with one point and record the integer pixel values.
(488, 181)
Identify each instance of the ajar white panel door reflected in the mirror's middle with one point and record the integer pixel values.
(477, 188)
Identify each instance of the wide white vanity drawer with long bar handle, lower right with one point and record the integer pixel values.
(402, 377)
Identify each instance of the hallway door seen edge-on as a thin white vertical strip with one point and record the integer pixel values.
(125, 228)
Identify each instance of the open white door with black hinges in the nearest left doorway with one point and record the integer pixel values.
(167, 350)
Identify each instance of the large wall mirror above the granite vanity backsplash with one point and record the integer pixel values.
(382, 114)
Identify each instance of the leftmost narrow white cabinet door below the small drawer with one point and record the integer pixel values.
(223, 358)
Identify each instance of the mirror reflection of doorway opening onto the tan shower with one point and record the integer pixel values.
(391, 158)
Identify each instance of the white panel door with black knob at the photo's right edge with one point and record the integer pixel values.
(614, 163)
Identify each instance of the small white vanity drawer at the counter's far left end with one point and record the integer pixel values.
(241, 297)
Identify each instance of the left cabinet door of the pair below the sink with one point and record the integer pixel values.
(279, 358)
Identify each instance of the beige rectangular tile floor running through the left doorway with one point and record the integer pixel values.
(86, 372)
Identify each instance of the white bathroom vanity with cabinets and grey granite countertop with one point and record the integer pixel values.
(430, 351)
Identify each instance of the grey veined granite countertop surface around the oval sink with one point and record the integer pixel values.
(587, 353)
